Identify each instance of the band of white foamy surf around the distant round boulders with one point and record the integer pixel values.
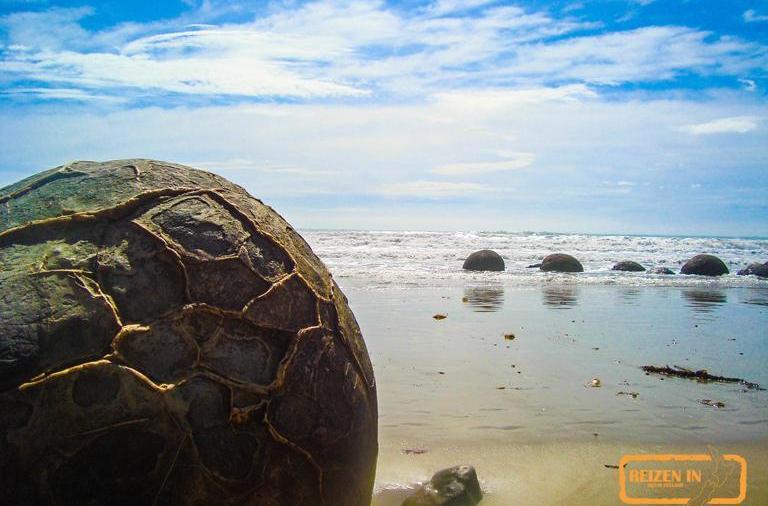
(387, 258)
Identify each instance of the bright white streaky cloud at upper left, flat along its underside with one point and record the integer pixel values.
(223, 62)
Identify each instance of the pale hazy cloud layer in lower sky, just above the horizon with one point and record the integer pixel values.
(377, 153)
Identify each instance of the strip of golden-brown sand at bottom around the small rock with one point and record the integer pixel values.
(549, 473)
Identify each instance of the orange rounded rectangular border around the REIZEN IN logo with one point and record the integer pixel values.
(703, 457)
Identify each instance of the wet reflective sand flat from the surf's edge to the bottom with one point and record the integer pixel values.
(520, 410)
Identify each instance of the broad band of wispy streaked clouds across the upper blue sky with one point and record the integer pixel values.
(357, 50)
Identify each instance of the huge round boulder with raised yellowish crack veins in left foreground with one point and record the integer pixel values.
(165, 338)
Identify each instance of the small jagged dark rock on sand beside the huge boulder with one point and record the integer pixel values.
(455, 486)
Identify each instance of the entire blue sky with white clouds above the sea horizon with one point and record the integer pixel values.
(619, 116)
